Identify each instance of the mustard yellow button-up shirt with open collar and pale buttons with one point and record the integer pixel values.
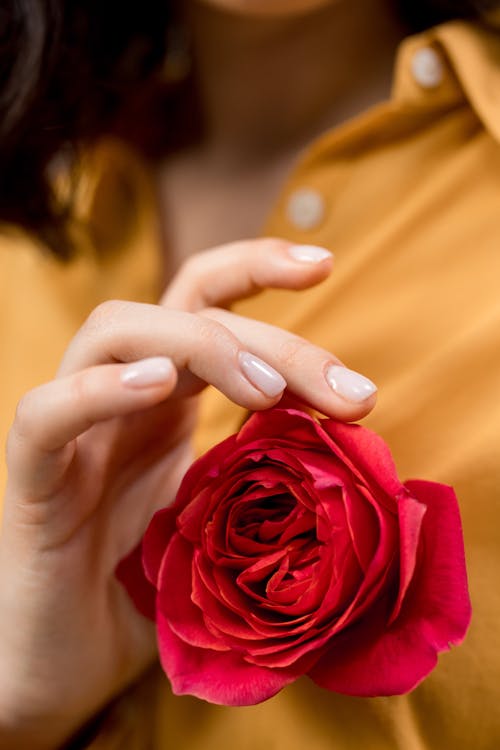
(408, 198)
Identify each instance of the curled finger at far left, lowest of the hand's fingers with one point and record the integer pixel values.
(54, 414)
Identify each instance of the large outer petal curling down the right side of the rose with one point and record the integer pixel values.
(373, 658)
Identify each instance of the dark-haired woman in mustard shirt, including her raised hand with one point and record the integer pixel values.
(405, 194)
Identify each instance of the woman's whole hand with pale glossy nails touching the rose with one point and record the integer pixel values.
(93, 454)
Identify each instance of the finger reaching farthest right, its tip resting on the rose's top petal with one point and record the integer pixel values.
(313, 374)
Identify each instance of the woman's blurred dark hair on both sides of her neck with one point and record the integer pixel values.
(73, 70)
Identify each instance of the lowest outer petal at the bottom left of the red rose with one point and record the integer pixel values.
(215, 676)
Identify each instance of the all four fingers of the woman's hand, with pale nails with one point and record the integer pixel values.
(249, 362)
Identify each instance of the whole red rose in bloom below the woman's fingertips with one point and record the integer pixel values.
(293, 548)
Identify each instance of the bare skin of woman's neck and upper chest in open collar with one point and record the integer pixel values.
(302, 75)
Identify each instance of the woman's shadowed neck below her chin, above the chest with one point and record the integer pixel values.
(268, 86)
